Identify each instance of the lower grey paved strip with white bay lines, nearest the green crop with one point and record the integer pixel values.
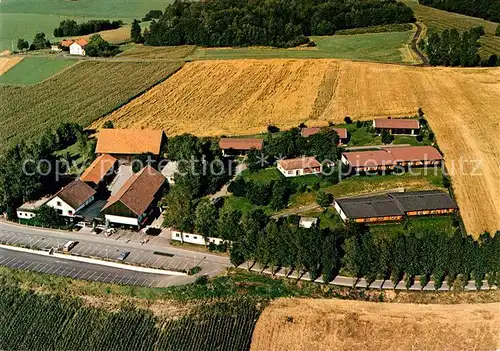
(86, 271)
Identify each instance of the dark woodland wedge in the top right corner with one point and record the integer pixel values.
(487, 9)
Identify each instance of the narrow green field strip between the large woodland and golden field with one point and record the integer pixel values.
(383, 47)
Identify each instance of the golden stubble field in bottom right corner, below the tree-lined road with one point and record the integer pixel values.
(302, 324)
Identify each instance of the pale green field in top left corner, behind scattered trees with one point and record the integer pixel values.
(24, 18)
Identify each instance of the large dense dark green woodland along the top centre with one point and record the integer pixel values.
(280, 23)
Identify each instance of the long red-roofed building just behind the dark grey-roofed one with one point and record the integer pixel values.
(391, 157)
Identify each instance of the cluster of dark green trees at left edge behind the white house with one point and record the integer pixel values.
(28, 171)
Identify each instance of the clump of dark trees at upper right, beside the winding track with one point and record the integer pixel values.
(450, 48)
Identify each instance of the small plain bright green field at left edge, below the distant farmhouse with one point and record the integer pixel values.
(34, 69)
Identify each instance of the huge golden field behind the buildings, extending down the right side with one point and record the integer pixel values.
(244, 96)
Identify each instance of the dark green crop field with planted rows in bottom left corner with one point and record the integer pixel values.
(41, 322)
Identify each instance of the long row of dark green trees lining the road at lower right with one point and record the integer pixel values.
(356, 251)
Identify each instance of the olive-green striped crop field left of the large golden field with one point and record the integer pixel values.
(85, 92)
